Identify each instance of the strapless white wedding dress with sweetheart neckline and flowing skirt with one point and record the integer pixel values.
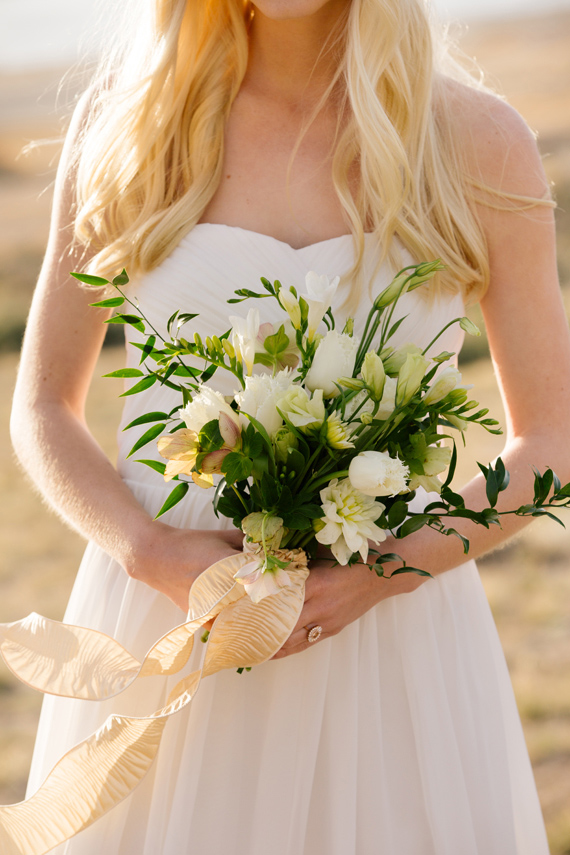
(399, 736)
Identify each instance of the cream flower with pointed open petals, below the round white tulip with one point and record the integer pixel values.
(348, 522)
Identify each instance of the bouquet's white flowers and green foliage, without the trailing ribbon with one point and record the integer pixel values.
(329, 434)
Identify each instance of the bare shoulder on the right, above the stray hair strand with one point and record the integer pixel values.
(499, 148)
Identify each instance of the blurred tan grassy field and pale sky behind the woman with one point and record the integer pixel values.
(524, 48)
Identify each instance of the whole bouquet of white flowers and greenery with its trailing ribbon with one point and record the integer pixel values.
(324, 442)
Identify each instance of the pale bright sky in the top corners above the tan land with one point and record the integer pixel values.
(60, 26)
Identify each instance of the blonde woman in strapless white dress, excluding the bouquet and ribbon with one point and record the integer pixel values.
(397, 731)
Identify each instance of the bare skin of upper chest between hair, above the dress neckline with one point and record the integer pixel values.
(263, 188)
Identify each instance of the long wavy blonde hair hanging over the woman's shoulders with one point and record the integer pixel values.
(150, 158)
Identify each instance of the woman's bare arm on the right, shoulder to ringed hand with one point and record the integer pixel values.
(530, 346)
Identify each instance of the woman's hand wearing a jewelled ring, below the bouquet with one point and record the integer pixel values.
(335, 596)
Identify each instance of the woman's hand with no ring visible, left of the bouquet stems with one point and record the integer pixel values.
(170, 559)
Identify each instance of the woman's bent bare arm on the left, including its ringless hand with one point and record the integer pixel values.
(51, 439)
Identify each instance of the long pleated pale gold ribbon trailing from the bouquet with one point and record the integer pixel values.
(76, 662)
